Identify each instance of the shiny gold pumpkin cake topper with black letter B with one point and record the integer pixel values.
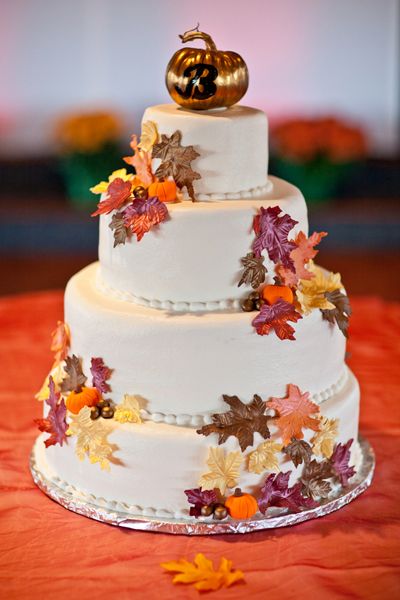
(206, 78)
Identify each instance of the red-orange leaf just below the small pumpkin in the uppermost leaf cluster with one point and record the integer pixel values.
(143, 214)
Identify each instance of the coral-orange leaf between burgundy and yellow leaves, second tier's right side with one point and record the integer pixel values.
(301, 255)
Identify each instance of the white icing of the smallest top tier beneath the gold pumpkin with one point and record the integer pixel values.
(233, 147)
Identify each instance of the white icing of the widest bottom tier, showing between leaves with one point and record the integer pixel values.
(157, 462)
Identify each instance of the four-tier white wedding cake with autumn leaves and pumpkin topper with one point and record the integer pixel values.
(200, 372)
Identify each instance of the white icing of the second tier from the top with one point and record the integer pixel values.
(195, 255)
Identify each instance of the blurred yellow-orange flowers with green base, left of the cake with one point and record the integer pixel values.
(88, 152)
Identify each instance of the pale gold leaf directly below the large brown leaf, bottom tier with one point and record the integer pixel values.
(224, 470)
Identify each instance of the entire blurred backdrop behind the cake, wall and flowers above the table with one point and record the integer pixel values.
(77, 75)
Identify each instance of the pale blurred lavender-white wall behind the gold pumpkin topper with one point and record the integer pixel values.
(304, 56)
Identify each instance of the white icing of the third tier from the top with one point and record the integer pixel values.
(181, 363)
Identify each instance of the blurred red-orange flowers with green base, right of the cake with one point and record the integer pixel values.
(317, 155)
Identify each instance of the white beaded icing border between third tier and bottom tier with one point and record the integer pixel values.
(185, 420)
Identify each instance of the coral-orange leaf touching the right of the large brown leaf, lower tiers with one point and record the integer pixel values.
(294, 414)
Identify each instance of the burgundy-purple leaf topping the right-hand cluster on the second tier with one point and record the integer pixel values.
(272, 235)
